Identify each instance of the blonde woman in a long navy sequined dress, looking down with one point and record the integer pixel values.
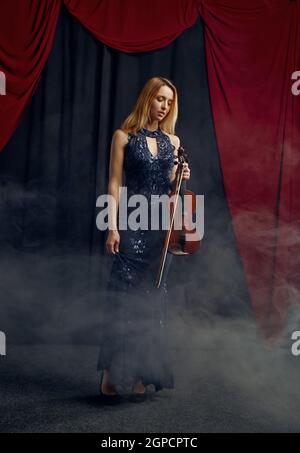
(134, 352)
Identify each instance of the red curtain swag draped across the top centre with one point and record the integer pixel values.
(134, 25)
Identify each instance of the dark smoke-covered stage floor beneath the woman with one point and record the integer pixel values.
(53, 388)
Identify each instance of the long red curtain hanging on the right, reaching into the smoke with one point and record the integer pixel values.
(252, 50)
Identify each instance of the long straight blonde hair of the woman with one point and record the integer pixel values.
(139, 117)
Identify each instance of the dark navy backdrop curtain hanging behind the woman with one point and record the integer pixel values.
(53, 264)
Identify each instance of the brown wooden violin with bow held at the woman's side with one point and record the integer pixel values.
(177, 241)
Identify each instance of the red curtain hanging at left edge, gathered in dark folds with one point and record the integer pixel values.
(26, 34)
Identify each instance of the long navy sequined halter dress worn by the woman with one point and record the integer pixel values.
(134, 341)
